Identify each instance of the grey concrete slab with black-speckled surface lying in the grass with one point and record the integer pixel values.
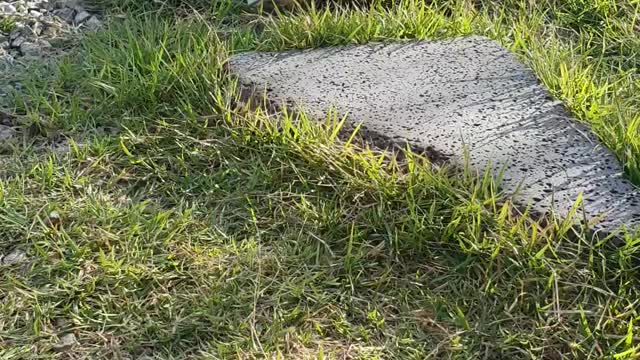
(451, 96)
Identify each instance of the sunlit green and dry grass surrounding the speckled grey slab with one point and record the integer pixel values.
(191, 228)
